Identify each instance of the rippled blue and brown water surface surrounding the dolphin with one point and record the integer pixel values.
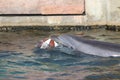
(20, 60)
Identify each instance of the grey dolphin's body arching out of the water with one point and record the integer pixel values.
(92, 47)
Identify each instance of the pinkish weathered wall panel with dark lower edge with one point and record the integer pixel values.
(41, 6)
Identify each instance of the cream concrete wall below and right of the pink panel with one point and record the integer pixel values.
(98, 12)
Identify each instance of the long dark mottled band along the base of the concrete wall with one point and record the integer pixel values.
(50, 28)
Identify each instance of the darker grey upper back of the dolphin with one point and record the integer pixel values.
(99, 44)
